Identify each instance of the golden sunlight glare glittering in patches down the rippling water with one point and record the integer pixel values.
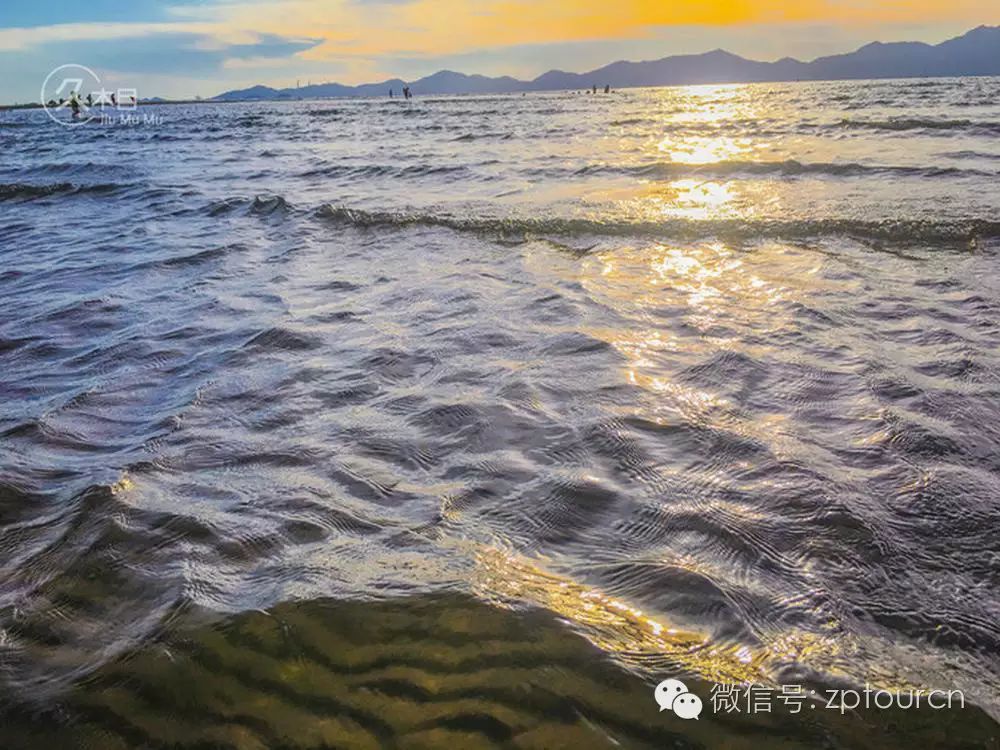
(716, 285)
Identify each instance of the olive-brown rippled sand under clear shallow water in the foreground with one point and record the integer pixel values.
(424, 672)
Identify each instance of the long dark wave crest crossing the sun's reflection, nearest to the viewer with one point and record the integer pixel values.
(899, 232)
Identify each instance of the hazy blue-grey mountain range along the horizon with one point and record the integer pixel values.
(976, 53)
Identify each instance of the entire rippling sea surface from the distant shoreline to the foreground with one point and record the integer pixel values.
(559, 395)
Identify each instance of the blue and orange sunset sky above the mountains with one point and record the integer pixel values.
(188, 48)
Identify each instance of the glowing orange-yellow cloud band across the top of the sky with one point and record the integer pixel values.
(352, 29)
